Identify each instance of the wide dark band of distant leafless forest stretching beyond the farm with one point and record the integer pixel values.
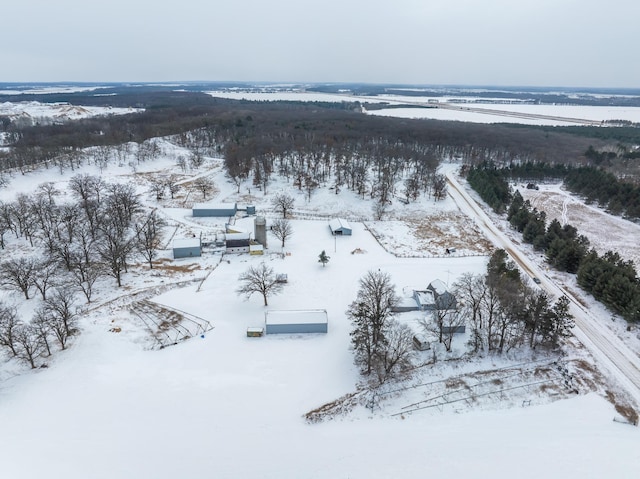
(171, 113)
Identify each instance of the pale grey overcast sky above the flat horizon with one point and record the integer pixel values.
(591, 43)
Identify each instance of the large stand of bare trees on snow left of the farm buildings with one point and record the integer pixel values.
(73, 244)
